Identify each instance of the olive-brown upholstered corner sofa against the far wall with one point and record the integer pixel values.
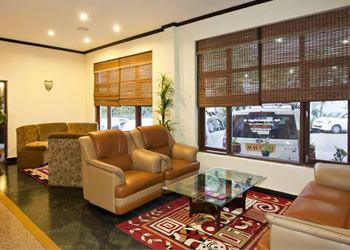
(32, 140)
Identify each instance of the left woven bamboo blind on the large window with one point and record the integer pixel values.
(228, 70)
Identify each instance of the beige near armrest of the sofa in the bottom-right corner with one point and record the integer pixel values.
(292, 233)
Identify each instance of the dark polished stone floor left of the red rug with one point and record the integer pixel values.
(69, 220)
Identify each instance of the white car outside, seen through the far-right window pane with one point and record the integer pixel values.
(335, 122)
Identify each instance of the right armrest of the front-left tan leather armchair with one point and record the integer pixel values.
(146, 160)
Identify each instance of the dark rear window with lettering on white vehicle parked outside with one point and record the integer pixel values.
(263, 125)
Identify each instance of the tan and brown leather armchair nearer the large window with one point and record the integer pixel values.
(179, 160)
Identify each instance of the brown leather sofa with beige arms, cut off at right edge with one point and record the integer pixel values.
(319, 218)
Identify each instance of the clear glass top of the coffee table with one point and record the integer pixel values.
(218, 186)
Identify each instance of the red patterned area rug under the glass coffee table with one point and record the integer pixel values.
(169, 226)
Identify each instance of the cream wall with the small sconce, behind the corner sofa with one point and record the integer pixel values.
(25, 68)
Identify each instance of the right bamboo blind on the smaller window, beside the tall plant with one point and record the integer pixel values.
(136, 80)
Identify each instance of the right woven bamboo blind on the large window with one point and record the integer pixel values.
(307, 59)
